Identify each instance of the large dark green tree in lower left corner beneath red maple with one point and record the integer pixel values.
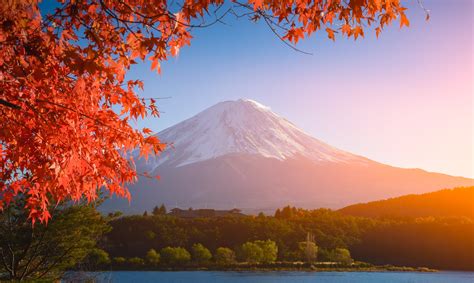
(44, 252)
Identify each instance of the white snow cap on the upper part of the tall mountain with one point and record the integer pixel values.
(242, 126)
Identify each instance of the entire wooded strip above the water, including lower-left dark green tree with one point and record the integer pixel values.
(79, 237)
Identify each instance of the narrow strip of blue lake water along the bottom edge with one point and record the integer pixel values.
(282, 277)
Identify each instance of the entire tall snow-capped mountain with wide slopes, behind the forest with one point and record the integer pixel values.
(241, 154)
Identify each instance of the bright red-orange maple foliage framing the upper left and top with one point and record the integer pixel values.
(66, 106)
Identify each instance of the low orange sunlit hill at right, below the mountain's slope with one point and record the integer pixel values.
(458, 202)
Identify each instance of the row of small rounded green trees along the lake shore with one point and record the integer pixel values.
(256, 252)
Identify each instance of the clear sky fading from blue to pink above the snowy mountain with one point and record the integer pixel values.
(405, 99)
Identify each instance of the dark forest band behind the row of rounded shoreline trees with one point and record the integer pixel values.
(441, 242)
